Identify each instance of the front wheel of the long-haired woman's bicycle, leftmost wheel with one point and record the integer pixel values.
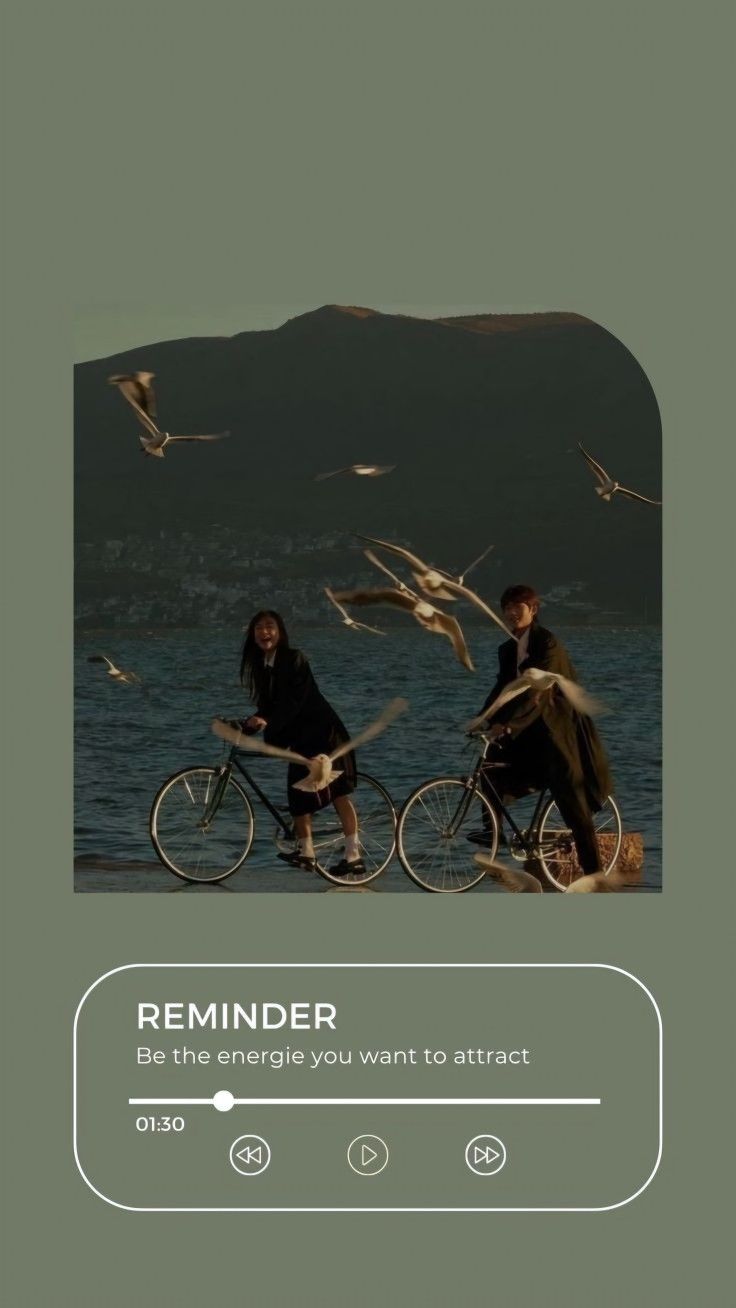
(192, 844)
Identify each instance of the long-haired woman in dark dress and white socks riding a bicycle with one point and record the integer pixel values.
(295, 715)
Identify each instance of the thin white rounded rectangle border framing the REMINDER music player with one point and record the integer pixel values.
(133, 967)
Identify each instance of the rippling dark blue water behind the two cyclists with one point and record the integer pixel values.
(129, 740)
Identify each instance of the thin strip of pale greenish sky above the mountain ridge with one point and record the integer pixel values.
(103, 330)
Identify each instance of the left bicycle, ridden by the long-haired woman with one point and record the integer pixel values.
(203, 823)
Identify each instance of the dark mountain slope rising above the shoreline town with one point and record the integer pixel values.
(482, 417)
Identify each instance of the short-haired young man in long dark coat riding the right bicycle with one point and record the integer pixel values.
(546, 742)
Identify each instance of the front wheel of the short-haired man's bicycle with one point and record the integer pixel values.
(433, 835)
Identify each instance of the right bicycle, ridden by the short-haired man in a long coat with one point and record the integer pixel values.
(436, 821)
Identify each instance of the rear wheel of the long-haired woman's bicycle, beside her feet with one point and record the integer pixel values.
(377, 834)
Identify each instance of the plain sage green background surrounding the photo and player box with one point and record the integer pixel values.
(564, 156)
